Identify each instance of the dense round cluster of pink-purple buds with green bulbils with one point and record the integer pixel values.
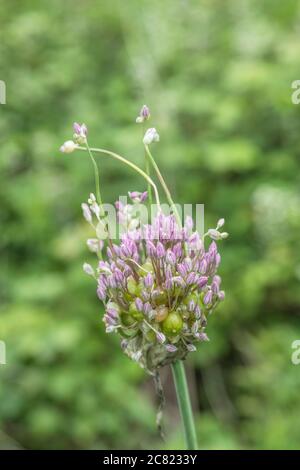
(159, 285)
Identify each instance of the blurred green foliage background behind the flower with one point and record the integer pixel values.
(217, 76)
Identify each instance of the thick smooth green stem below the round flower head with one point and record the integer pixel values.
(184, 404)
